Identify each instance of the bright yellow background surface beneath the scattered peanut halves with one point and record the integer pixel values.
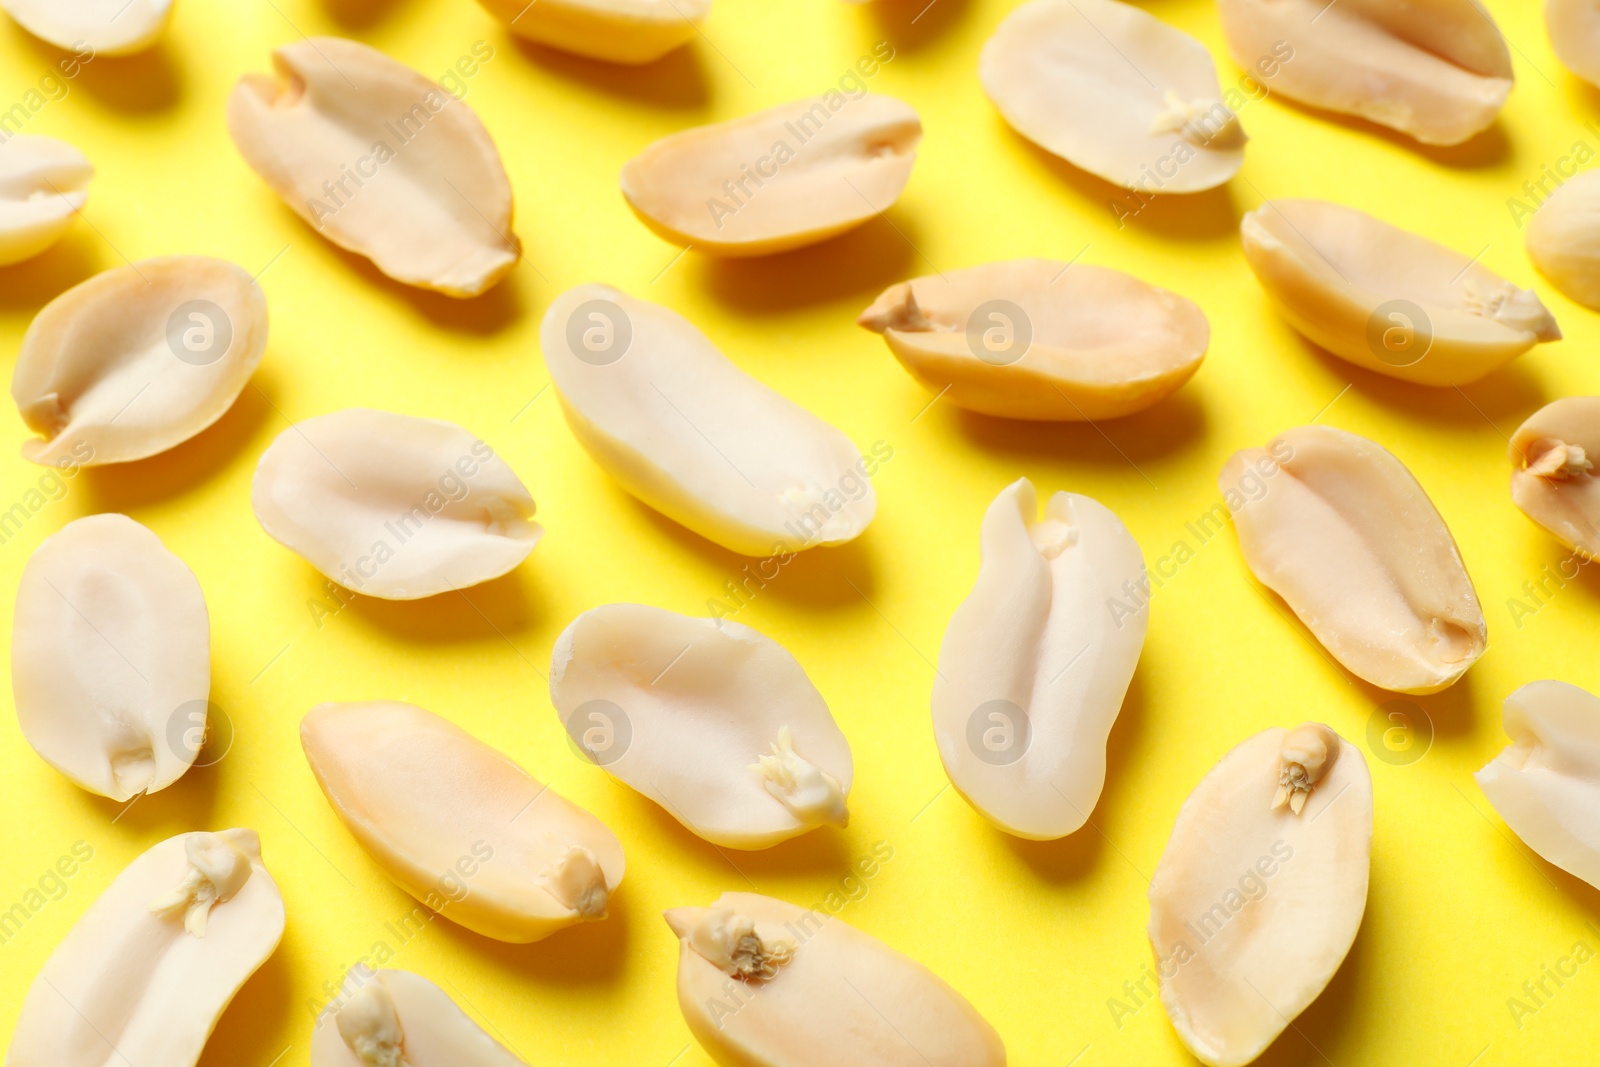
(1039, 937)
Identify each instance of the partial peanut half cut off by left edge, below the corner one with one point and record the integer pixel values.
(44, 183)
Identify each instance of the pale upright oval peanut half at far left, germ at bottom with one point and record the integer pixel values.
(111, 658)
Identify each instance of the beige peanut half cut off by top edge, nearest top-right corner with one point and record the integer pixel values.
(1438, 70)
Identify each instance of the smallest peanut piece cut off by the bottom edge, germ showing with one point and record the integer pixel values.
(401, 1020)
